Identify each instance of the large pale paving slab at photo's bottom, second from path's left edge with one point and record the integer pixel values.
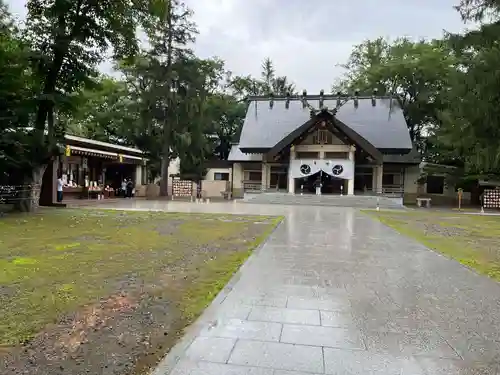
(278, 356)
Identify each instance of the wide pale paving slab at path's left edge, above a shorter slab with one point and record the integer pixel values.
(244, 329)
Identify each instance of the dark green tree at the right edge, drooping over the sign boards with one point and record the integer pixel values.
(470, 129)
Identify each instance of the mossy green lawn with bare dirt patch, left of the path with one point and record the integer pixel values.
(103, 291)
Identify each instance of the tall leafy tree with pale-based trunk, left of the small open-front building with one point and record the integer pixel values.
(68, 39)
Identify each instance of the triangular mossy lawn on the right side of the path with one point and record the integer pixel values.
(473, 240)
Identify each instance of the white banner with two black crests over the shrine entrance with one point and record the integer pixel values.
(339, 168)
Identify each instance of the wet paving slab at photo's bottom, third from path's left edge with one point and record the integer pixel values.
(342, 362)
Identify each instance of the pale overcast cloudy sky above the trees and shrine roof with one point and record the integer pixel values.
(306, 39)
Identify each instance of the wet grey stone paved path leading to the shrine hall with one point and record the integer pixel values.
(333, 291)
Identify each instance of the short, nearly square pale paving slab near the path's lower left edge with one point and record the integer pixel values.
(212, 349)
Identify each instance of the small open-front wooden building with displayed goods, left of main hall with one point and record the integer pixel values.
(93, 169)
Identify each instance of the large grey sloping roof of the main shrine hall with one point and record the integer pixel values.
(382, 126)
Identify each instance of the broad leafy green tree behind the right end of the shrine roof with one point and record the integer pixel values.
(417, 73)
